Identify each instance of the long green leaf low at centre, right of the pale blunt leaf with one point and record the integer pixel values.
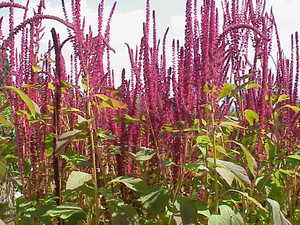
(135, 184)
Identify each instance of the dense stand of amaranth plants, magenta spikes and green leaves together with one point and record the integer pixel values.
(212, 138)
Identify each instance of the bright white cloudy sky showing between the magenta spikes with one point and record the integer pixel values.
(129, 15)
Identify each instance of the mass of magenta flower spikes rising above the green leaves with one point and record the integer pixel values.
(209, 57)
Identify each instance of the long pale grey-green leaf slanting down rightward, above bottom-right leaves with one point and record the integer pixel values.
(237, 170)
